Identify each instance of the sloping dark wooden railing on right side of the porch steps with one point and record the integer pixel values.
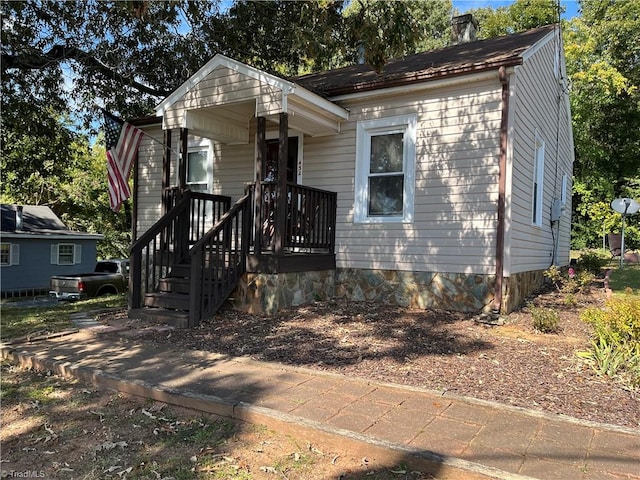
(218, 260)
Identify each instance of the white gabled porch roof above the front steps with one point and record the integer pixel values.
(220, 99)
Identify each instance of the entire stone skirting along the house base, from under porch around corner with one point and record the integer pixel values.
(263, 293)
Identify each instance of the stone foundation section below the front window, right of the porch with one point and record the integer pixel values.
(425, 290)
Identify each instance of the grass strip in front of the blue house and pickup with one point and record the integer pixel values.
(18, 322)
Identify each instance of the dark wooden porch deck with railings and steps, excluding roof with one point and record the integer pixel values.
(186, 266)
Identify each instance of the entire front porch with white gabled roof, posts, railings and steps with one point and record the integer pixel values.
(193, 258)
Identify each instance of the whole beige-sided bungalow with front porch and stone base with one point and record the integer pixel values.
(442, 182)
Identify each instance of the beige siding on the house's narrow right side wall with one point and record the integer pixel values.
(534, 108)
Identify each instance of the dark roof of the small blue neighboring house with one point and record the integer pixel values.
(36, 220)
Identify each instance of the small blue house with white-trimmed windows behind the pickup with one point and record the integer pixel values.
(35, 245)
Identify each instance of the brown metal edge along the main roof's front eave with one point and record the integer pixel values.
(421, 77)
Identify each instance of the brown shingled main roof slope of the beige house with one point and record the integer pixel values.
(472, 57)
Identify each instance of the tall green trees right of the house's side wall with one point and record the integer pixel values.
(603, 64)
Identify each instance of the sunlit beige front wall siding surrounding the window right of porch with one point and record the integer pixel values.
(456, 184)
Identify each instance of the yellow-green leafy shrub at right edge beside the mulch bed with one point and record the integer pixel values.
(615, 347)
